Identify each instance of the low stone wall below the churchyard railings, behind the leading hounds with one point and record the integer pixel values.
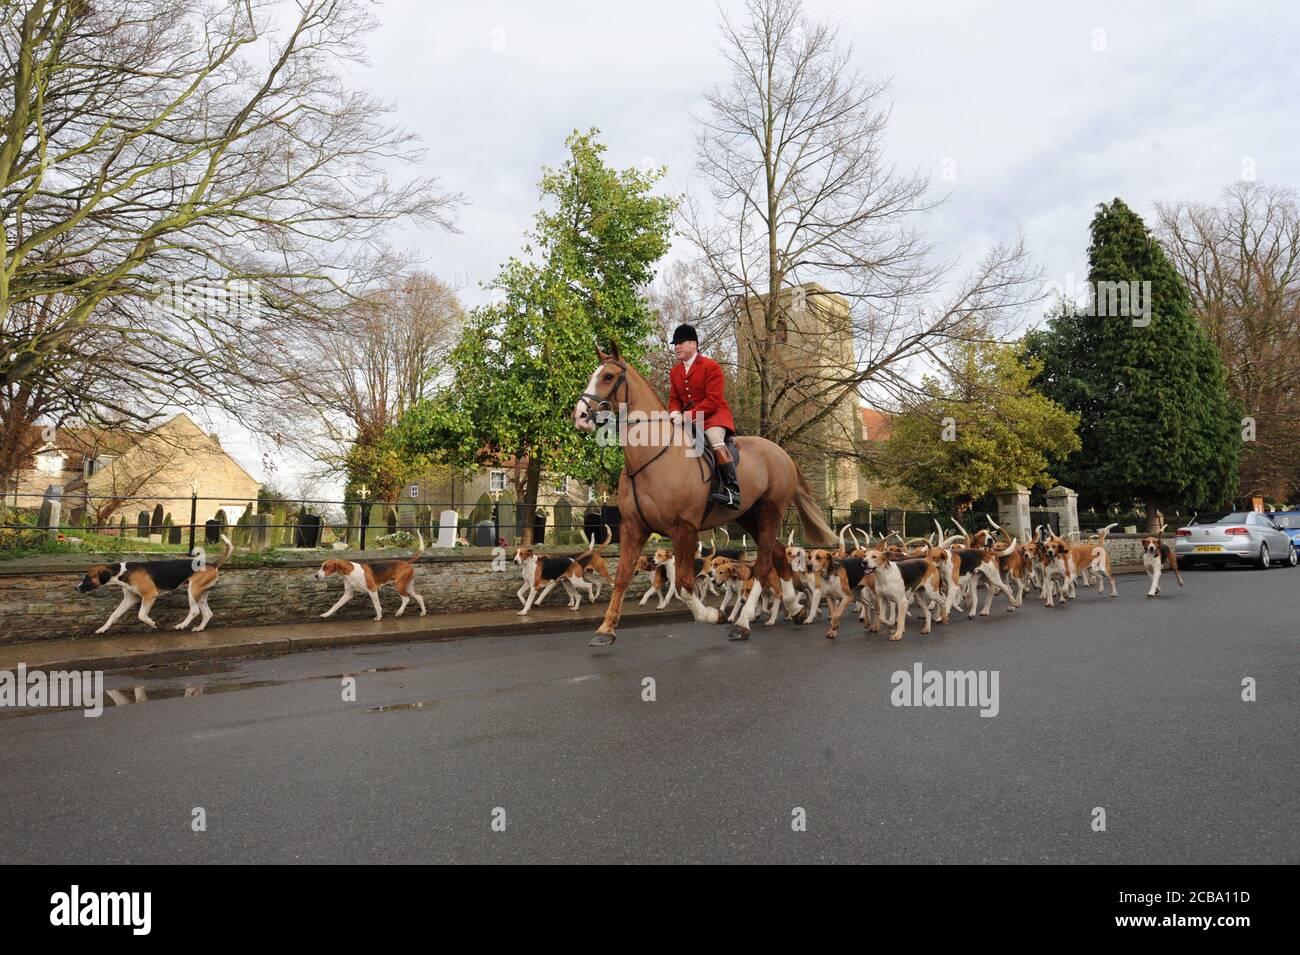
(46, 605)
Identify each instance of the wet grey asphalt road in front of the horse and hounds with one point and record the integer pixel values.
(1132, 705)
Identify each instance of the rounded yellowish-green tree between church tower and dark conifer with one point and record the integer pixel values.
(982, 429)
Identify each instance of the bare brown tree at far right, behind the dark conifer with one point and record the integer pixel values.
(1241, 261)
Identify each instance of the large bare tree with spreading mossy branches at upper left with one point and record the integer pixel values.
(185, 188)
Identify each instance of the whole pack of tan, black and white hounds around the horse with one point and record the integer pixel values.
(885, 580)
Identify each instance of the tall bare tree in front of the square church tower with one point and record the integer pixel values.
(811, 248)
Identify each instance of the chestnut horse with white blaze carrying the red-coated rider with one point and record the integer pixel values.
(665, 489)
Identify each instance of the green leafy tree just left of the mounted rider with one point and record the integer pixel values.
(525, 359)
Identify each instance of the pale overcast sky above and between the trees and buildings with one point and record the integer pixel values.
(1045, 110)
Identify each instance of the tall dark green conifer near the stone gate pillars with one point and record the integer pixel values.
(1159, 424)
